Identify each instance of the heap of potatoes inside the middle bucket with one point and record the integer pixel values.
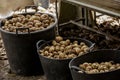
(64, 49)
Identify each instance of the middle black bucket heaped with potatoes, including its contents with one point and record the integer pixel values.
(55, 55)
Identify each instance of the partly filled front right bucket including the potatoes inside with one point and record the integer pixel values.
(96, 65)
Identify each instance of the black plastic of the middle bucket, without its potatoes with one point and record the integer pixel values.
(57, 69)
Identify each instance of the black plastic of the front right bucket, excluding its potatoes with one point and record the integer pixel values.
(96, 56)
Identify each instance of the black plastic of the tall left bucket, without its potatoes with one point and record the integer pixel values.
(21, 48)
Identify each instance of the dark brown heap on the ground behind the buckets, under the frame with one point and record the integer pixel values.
(100, 40)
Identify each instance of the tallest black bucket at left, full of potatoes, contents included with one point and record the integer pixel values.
(20, 32)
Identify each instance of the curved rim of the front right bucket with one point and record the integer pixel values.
(70, 63)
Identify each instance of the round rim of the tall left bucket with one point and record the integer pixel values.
(49, 27)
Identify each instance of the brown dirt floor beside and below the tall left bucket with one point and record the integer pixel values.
(5, 69)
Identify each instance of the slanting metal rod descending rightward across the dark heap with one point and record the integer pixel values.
(96, 31)
